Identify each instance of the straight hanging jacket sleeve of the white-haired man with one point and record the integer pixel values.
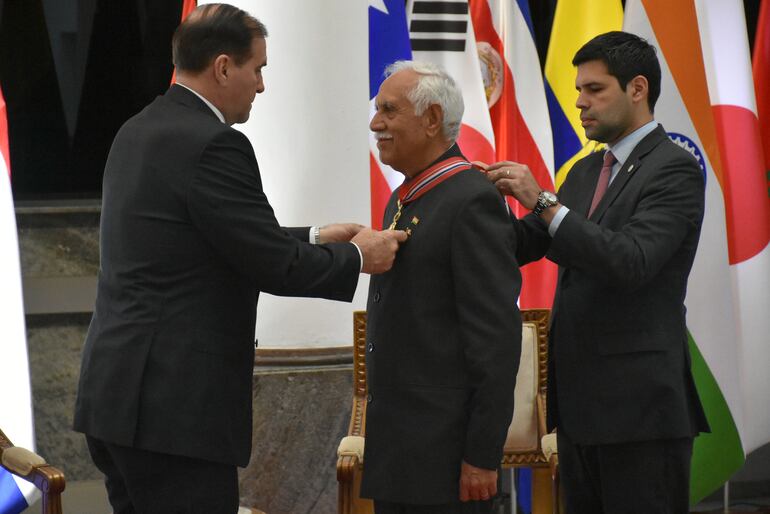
(487, 283)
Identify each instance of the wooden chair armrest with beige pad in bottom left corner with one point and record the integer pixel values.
(33, 468)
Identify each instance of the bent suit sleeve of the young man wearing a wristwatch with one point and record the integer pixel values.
(669, 207)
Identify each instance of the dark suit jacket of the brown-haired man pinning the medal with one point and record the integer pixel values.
(188, 241)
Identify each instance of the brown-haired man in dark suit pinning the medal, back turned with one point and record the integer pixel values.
(188, 241)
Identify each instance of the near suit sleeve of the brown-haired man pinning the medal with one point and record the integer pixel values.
(227, 204)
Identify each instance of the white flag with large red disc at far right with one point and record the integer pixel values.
(743, 181)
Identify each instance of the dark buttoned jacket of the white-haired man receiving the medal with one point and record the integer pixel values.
(444, 338)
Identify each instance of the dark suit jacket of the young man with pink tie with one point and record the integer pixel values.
(620, 364)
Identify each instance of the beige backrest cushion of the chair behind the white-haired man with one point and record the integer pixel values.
(522, 433)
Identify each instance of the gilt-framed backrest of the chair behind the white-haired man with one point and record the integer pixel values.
(522, 445)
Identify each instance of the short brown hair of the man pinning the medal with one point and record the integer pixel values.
(212, 30)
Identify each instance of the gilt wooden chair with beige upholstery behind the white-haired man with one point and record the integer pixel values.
(522, 446)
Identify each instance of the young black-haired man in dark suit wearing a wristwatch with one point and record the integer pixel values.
(624, 231)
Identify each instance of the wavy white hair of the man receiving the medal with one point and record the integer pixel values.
(434, 86)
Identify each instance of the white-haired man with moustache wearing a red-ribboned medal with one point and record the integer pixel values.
(443, 328)
